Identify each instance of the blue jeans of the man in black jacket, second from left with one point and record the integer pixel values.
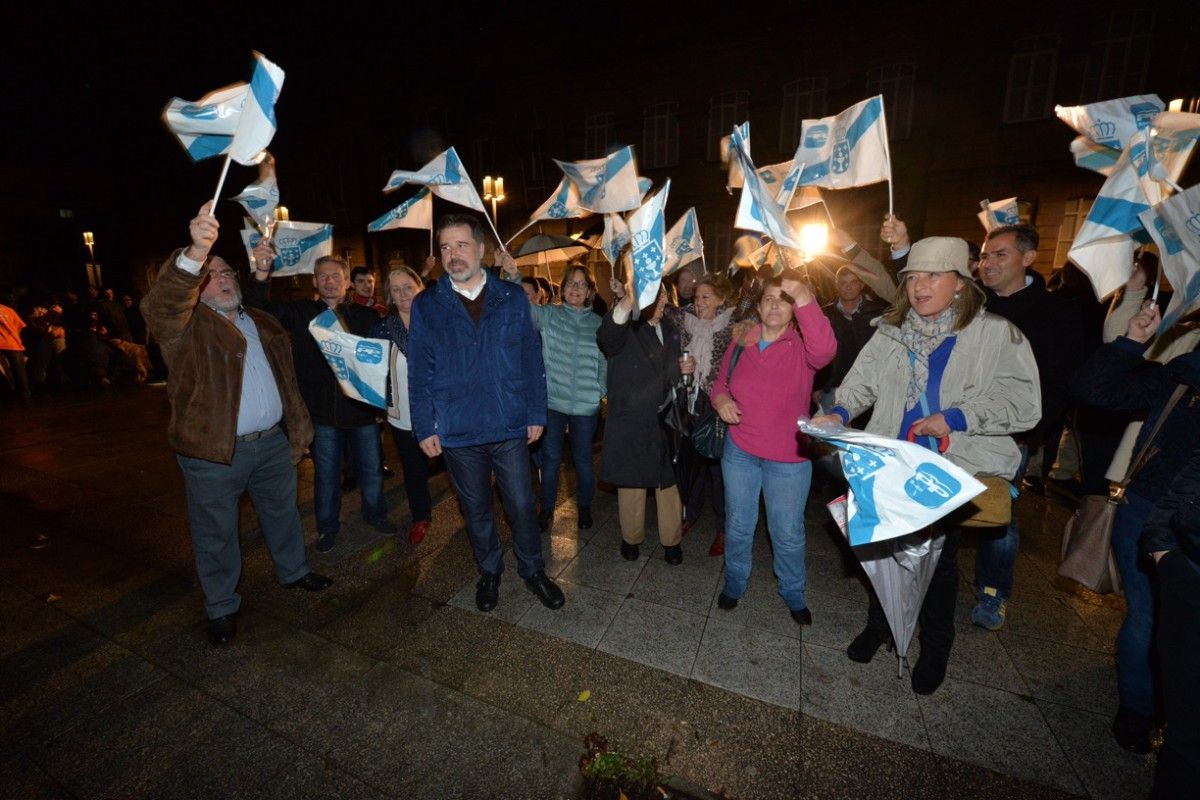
(328, 446)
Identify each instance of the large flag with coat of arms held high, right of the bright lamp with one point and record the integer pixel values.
(850, 149)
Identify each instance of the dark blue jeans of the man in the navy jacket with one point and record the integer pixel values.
(471, 472)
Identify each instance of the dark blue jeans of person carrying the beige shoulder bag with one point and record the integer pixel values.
(1137, 676)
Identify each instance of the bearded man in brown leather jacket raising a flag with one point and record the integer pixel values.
(237, 420)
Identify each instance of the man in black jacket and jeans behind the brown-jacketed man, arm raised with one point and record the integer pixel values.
(338, 420)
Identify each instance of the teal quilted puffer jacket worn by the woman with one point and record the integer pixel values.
(575, 368)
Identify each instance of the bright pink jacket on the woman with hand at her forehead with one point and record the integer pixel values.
(773, 388)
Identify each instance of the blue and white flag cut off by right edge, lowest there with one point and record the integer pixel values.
(1175, 227)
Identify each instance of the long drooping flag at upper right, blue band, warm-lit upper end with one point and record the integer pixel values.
(1105, 246)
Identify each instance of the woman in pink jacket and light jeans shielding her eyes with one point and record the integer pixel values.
(770, 389)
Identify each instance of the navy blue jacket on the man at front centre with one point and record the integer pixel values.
(473, 386)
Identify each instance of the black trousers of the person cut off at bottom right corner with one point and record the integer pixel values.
(1179, 652)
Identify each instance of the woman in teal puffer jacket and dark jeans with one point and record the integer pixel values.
(575, 384)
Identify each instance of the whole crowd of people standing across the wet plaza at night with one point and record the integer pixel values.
(963, 348)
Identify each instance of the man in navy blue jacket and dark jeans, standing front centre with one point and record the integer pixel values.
(478, 396)
